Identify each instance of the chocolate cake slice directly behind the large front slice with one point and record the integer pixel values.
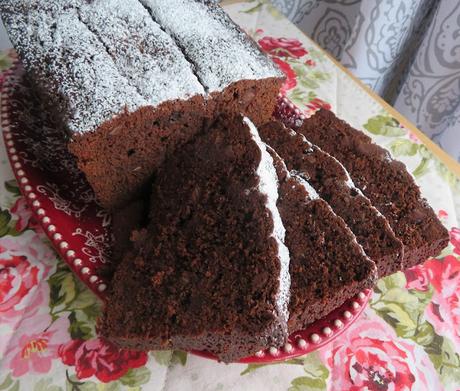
(327, 265)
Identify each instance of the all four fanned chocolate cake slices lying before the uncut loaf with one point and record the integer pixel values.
(254, 233)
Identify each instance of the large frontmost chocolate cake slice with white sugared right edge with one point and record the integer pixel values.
(211, 271)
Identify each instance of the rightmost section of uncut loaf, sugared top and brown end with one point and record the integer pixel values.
(236, 74)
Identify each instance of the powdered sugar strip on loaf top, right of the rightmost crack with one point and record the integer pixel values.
(220, 51)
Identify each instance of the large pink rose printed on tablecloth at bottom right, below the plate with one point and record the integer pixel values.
(370, 356)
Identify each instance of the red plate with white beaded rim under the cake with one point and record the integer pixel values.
(79, 228)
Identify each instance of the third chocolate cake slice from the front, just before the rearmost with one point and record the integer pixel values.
(333, 184)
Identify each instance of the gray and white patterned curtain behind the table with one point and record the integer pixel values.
(408, 51)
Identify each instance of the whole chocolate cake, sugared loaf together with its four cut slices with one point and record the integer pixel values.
(231, 229)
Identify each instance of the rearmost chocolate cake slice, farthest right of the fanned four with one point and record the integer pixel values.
(385, 181)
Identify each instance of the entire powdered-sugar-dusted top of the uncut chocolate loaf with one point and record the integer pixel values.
(96, 59)
